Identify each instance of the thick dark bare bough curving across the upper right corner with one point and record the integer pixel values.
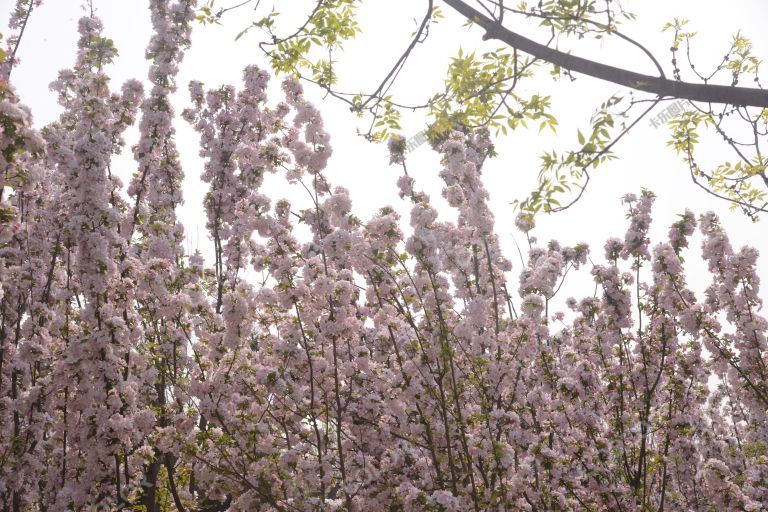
(742, 96)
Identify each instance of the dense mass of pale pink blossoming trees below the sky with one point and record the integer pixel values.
(318, 361)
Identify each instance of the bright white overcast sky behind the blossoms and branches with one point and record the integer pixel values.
(215, 58)
